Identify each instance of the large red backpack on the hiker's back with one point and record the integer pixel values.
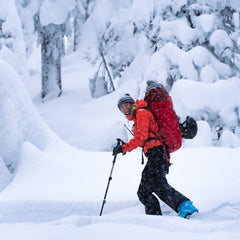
(160, 104)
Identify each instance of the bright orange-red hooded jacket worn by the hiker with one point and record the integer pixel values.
(144, 128)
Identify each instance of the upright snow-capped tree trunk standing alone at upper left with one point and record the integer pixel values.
(51, 29)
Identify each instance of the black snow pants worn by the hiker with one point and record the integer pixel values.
(154, 181)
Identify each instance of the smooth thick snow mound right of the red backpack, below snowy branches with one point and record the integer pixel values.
(221, 98)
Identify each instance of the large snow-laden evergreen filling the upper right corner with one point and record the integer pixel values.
(174, 40)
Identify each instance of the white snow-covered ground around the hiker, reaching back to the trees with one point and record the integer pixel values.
(58, 190)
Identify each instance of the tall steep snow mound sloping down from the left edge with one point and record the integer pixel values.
(19, 121)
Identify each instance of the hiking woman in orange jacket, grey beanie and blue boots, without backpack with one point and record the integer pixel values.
(153, 179)
